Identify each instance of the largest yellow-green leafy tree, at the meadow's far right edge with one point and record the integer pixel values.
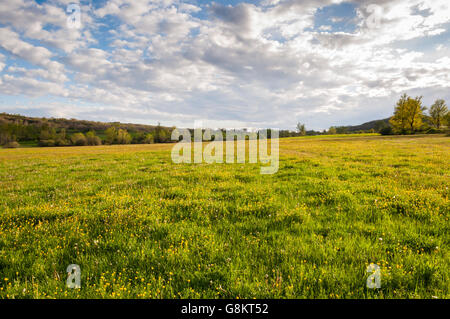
(407, 115)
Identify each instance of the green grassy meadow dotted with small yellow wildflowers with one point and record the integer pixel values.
(140, 226)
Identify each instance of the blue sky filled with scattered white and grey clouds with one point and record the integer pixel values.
(255, 64)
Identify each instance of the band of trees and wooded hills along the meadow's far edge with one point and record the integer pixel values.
(410, 117)
